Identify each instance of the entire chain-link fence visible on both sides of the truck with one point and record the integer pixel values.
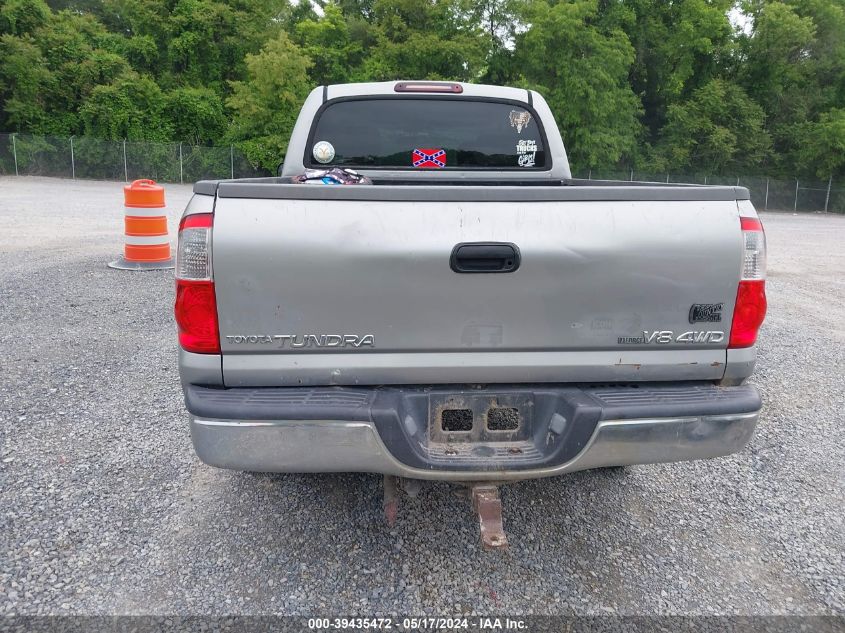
(95, 159)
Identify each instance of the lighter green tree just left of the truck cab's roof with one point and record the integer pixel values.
(266, 104)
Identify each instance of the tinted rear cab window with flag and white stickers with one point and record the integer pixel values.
(419, 133)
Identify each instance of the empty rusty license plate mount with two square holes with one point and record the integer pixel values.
(483, 418)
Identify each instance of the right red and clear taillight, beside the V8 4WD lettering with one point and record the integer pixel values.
(750, 309)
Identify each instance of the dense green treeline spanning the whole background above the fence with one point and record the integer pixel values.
(663, 85)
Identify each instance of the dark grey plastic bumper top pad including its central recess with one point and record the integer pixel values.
(476, 430)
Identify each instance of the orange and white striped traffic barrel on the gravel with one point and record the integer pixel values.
(146, 242)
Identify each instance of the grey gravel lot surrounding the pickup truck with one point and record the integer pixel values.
(104, 509)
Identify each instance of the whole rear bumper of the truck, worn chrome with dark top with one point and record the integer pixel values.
(399, 431)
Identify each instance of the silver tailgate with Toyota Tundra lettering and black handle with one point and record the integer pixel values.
(318, 292)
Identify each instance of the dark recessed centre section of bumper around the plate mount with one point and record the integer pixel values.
(485, 428)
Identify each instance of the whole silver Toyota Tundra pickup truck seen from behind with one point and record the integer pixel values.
(474, 314)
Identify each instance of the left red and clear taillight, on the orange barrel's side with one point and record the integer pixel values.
(196, 304)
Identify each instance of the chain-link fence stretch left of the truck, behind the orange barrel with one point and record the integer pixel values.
(96, 159)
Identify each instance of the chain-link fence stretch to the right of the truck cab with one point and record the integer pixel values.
(766, 193)
